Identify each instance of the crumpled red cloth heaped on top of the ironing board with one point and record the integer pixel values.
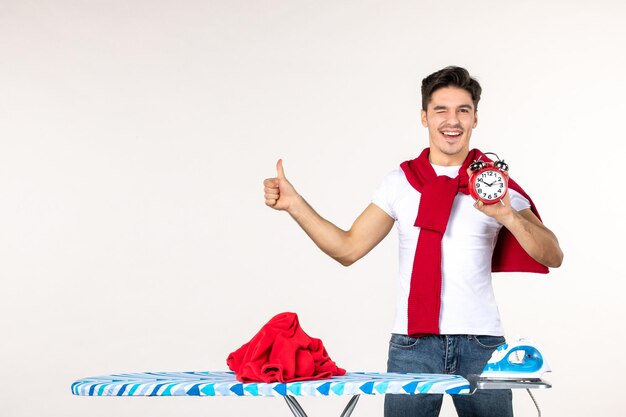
(282, 352)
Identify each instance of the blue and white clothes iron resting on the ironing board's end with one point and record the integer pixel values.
(518, 364)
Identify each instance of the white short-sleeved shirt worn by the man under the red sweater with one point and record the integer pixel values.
(468, 304)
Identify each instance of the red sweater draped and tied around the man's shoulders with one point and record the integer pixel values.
(437, 197)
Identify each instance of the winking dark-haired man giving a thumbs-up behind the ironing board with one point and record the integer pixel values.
(446, 318)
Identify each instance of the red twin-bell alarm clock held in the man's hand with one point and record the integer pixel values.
(488, 181)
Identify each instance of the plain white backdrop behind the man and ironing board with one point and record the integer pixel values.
(135, 135)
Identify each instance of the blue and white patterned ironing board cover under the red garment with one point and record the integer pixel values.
(225, 384)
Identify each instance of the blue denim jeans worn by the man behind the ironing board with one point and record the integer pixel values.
(457, 354)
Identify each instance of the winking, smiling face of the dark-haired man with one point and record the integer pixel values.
(450, 118)
